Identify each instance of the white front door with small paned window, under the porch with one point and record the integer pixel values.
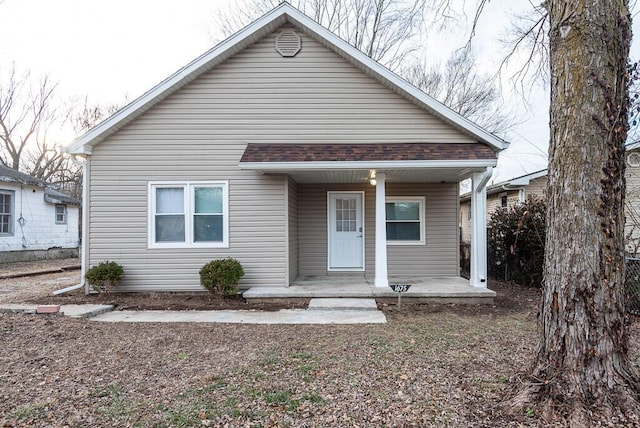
(346, 234)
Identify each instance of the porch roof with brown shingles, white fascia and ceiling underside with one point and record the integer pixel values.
(353, 163)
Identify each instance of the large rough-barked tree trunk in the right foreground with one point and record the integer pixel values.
(581, 371)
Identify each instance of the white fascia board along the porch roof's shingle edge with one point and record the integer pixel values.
(306, 166)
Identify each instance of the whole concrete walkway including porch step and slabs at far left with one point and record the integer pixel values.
(320, 311)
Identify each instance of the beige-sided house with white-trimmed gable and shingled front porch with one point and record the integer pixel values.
(288, 149)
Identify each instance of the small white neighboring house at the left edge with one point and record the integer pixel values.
(36, 221)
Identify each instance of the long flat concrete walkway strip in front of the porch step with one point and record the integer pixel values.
(285, 316)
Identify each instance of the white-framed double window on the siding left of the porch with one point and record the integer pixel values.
(193, 214)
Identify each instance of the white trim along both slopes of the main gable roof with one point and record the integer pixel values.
(254, 31)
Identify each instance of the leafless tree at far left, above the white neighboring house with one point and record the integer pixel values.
(25, 115)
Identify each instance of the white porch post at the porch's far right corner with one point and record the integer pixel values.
(479, 228)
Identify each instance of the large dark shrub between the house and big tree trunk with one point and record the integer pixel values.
(516, 240)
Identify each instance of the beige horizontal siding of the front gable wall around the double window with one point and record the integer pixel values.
(199, 133)
